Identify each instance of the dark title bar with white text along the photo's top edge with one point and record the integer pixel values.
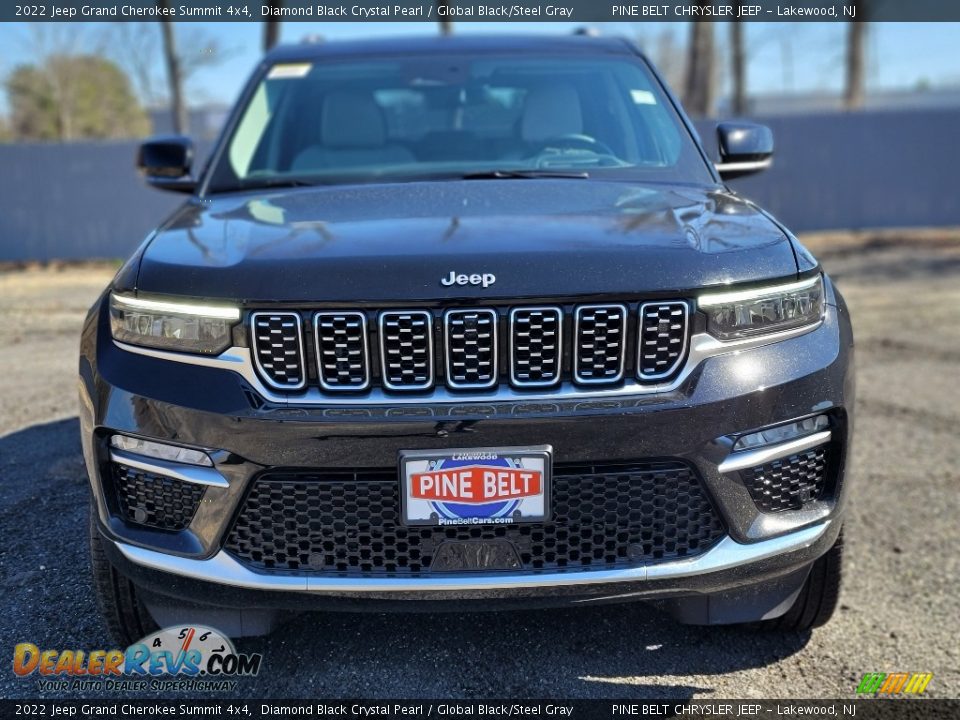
(586, 11)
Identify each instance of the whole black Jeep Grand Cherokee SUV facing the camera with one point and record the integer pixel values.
(459, 320)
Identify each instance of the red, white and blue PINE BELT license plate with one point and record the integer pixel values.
(475, 486)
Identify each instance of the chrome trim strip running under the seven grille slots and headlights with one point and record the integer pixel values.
(702, 346)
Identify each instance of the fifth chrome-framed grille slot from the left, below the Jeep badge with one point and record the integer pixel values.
(536, 336)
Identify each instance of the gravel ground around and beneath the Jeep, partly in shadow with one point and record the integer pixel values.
(900, 609)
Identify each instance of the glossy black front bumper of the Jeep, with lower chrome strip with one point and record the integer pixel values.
(217, 409)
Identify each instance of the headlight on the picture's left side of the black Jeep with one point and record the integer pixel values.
(171, 325)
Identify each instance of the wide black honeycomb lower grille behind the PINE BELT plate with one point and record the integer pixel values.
(349, 523)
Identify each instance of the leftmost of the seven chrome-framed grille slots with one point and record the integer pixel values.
(278, 349)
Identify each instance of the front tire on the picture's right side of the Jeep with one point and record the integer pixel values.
(818, 598)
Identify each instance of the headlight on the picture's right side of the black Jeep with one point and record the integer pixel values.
(736, 314)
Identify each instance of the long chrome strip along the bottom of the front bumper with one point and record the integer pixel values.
(225, 570)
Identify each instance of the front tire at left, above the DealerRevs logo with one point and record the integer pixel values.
(126, 617)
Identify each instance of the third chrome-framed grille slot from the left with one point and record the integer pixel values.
(406, 350)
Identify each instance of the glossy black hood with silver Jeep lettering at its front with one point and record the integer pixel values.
(395, 242)
